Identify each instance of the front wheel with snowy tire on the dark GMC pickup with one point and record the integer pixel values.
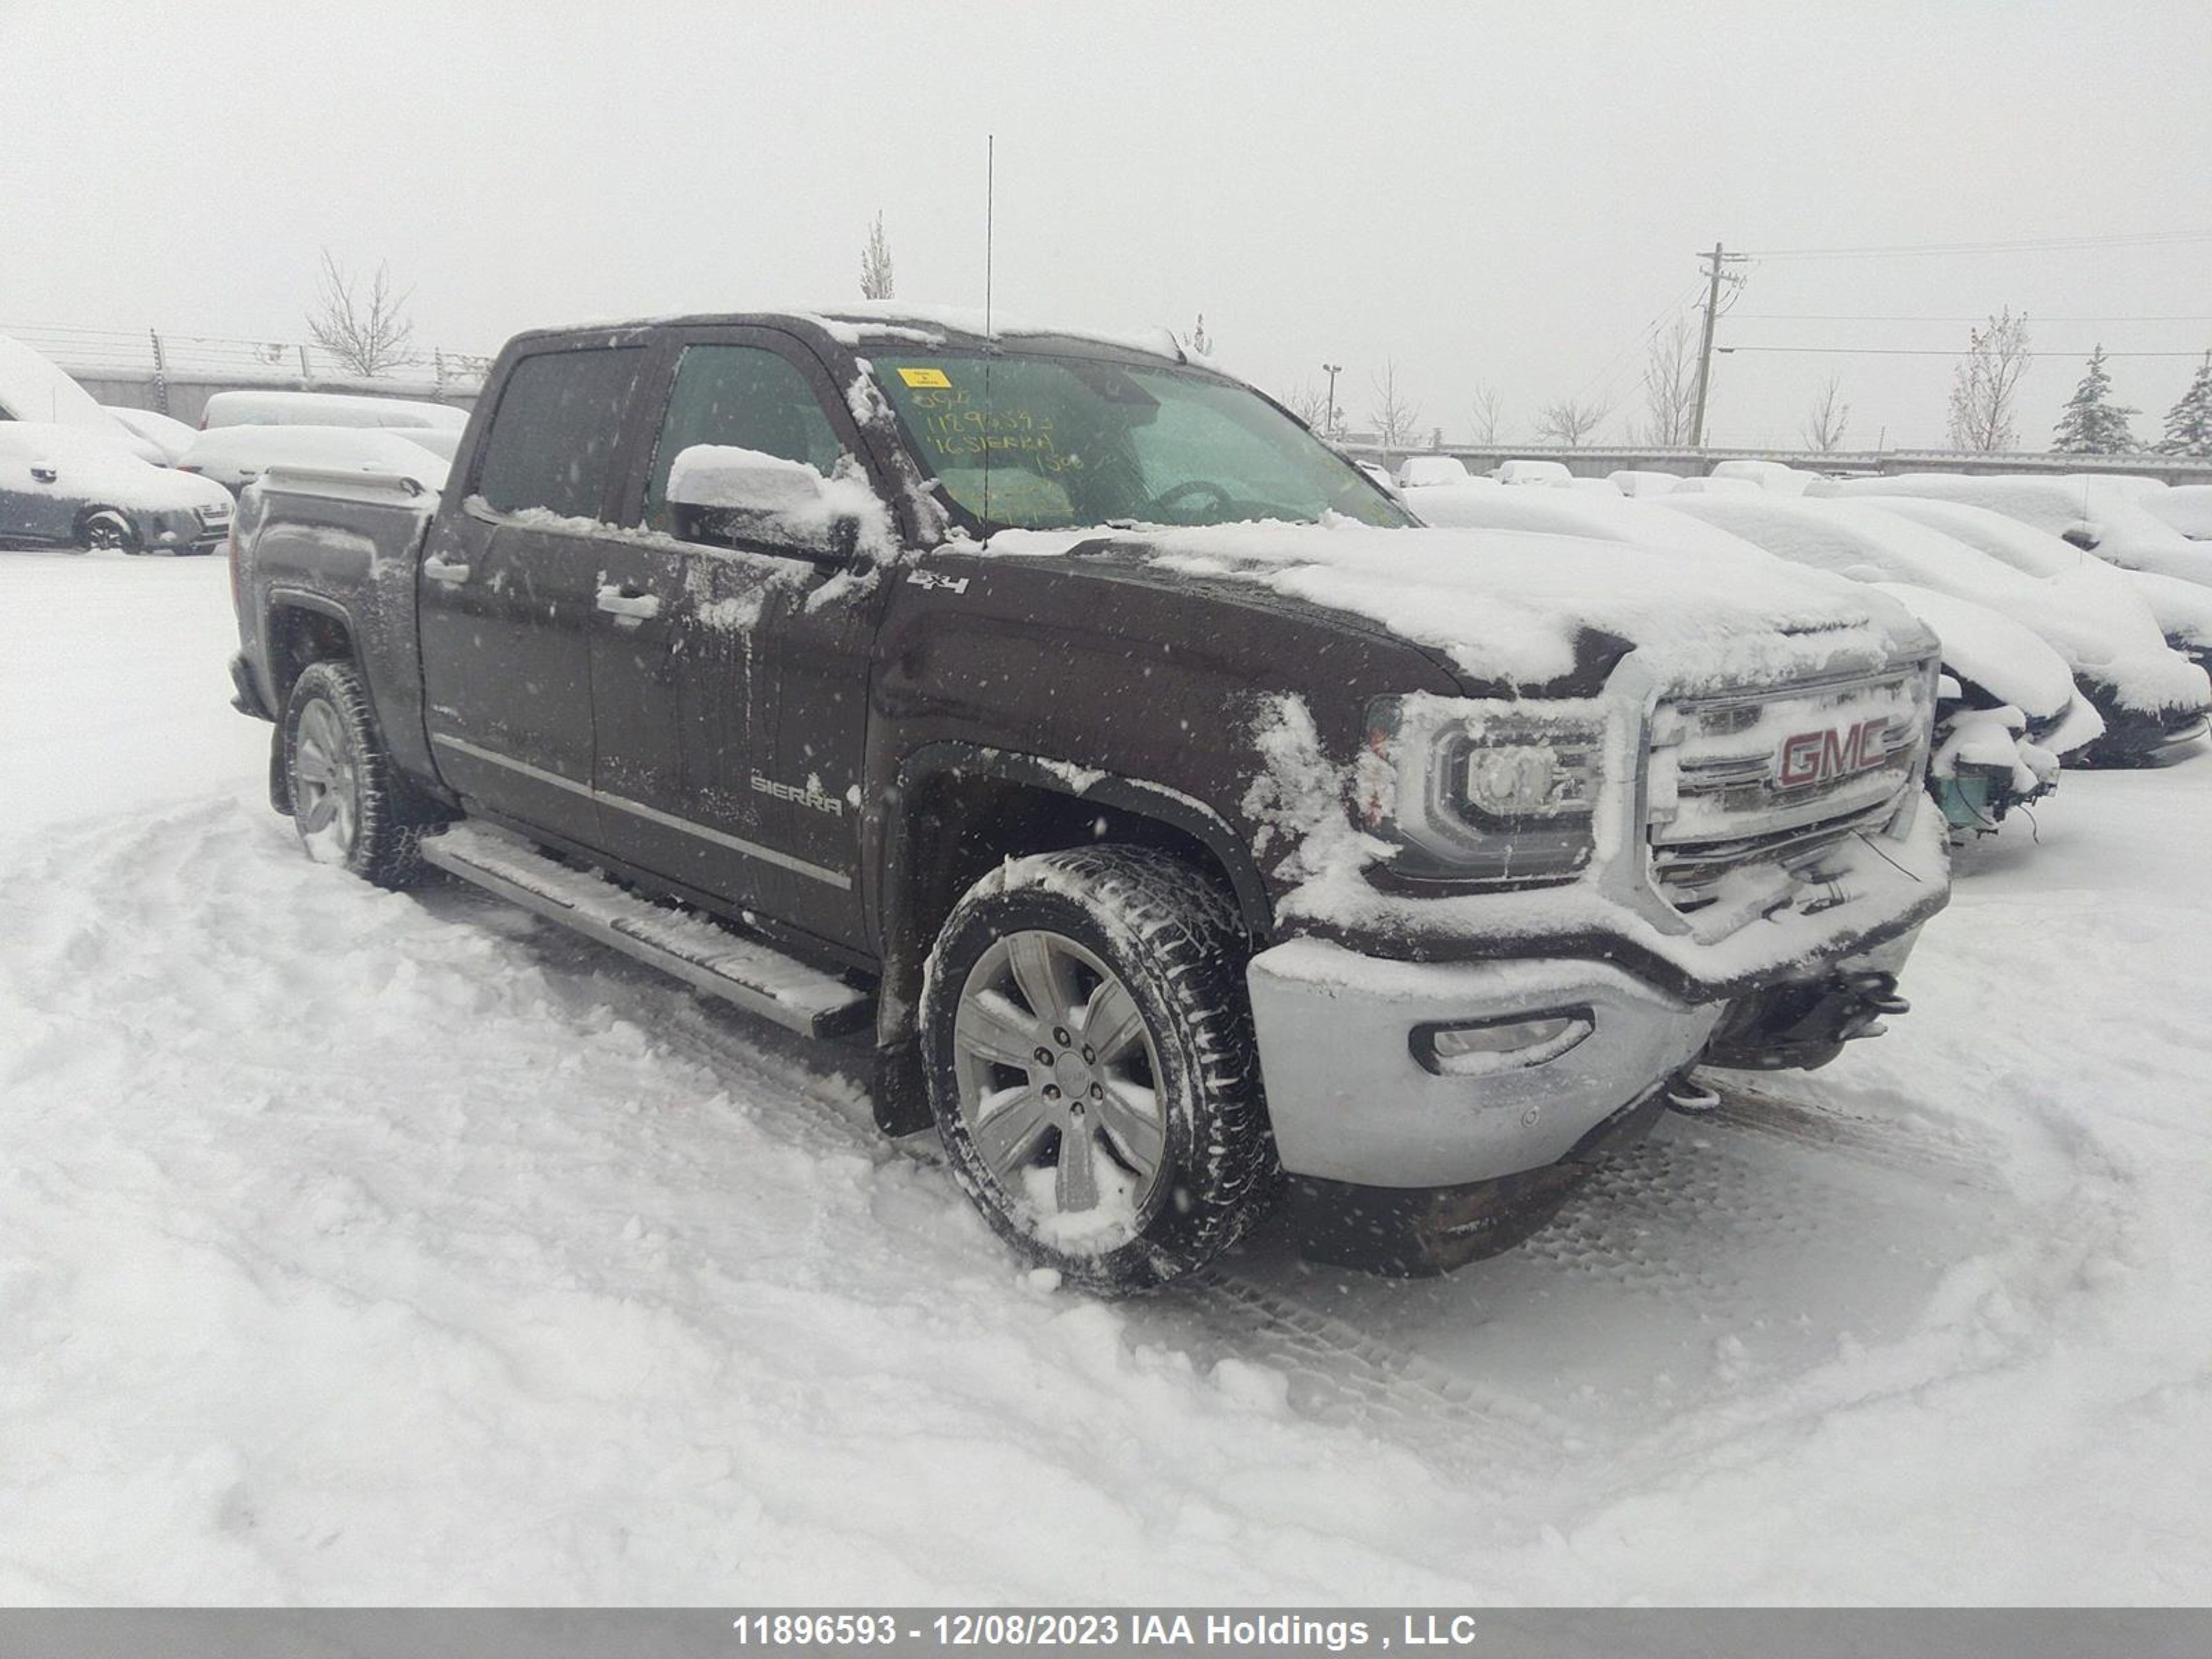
(1092, 1065)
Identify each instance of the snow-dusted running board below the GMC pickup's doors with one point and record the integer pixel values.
(705, 954)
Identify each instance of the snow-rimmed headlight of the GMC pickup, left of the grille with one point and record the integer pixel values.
(1490, 791)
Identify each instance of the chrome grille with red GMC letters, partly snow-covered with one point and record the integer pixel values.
(1780, 775)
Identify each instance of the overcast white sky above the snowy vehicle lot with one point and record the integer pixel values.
(1485, 194)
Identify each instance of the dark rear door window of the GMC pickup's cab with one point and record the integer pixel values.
(552, 444)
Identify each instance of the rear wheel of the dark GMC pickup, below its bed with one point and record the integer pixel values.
(348, 802)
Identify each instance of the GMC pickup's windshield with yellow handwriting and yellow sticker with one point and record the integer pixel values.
(1058, 444)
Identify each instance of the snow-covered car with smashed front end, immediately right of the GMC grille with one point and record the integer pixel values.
(1992, 660)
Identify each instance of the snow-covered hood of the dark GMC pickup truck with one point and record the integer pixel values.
(1521, 609)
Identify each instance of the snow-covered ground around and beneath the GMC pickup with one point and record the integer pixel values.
(399, 1249)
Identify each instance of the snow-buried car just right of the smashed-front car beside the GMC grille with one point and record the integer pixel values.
(2140, 645)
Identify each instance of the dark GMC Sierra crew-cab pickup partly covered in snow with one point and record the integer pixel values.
(1185, 826)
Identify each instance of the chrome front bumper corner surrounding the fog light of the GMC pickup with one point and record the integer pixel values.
(1353, 1098)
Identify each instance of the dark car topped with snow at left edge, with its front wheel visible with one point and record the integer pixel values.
(85, 490)
